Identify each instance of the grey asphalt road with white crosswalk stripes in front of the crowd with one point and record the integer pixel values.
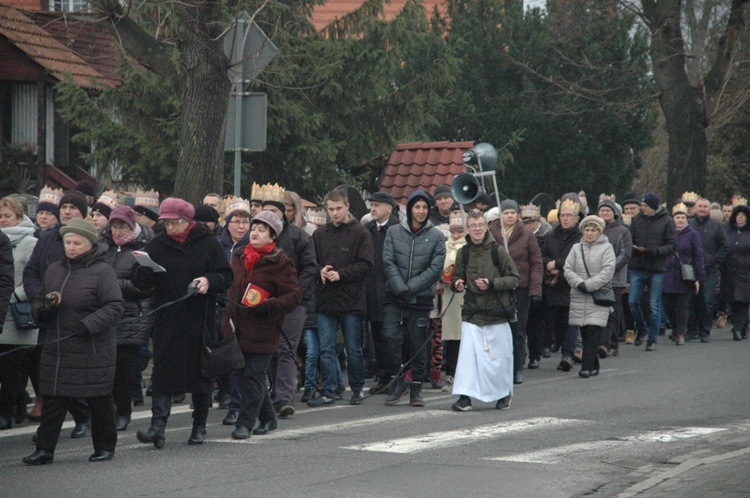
(674, 422)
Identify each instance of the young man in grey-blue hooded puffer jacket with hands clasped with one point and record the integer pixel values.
(413, 257)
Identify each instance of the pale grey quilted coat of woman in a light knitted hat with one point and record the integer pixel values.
(600, 260)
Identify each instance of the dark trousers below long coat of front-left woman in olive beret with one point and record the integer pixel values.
(103, 431)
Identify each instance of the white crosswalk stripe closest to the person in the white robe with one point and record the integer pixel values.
(448, 439)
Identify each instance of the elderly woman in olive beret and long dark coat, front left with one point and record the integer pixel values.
(79, 305)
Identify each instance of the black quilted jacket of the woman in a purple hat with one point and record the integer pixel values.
(131, 330)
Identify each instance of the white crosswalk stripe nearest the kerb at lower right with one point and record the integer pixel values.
(555, 455)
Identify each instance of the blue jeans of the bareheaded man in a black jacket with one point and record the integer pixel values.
(351, 328)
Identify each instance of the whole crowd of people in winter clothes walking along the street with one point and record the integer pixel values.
(459, 298)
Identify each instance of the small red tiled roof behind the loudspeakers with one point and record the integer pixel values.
(422, 165)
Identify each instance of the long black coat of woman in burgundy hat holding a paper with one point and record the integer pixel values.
(180, 327)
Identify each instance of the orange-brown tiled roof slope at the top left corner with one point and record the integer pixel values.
(43, 49)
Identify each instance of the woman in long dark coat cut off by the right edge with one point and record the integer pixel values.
(735, 272)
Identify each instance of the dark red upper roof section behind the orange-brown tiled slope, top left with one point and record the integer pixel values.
(89, 40)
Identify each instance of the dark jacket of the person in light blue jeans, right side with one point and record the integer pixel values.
(657, 234)
